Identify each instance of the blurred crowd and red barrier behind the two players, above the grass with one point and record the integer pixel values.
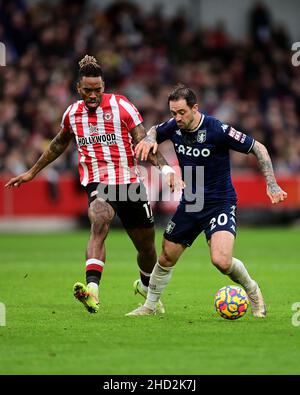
(239, 63)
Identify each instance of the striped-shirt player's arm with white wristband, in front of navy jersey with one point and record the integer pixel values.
(138, 133)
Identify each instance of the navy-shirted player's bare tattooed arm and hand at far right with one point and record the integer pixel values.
(275, 193)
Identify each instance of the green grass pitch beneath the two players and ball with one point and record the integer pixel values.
(48, 332)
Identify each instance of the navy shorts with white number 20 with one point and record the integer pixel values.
(185, 227)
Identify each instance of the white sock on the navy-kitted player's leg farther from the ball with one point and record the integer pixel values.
(159, 279)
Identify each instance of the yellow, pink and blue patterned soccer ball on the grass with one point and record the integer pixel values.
(231, 302)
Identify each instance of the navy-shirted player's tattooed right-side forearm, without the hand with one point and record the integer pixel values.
(265, 164)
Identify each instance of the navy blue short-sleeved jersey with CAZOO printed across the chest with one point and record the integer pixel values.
(207, 146)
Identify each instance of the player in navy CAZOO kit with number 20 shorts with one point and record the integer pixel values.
(202, 141)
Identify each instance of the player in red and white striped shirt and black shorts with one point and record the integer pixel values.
(105, 127)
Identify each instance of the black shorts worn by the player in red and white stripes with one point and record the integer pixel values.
(129, 201)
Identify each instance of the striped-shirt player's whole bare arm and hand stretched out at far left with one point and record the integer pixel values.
(55, 149)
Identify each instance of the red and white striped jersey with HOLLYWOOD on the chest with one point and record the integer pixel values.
(103, 140)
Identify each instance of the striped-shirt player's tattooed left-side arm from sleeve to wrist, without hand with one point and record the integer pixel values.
(55, 149)
